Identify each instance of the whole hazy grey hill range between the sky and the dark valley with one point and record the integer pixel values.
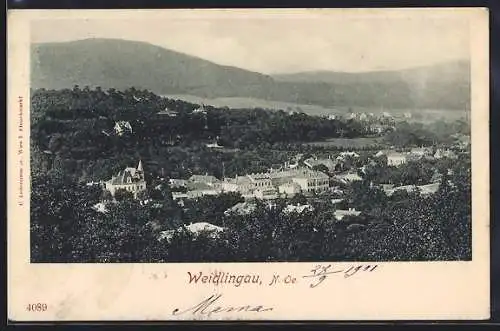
(120, 64)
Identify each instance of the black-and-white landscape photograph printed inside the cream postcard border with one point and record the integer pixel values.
(205, 144)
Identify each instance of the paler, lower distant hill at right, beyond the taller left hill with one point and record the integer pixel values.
(444, 85)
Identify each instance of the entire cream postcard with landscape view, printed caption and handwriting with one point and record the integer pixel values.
(233, 163)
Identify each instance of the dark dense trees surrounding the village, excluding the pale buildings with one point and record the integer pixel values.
(73, 142)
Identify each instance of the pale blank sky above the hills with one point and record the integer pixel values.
(281, 43)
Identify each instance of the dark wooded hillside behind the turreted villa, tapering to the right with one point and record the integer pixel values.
(72, 131)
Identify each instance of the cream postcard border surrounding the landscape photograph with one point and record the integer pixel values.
(89, 292)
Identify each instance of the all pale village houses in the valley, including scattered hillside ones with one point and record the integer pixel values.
(327, 176)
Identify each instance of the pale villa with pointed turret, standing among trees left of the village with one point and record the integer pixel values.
(130, 179)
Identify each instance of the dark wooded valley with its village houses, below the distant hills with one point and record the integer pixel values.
(162, 177)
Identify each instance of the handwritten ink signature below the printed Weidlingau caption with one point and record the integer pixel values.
(211, 306)
